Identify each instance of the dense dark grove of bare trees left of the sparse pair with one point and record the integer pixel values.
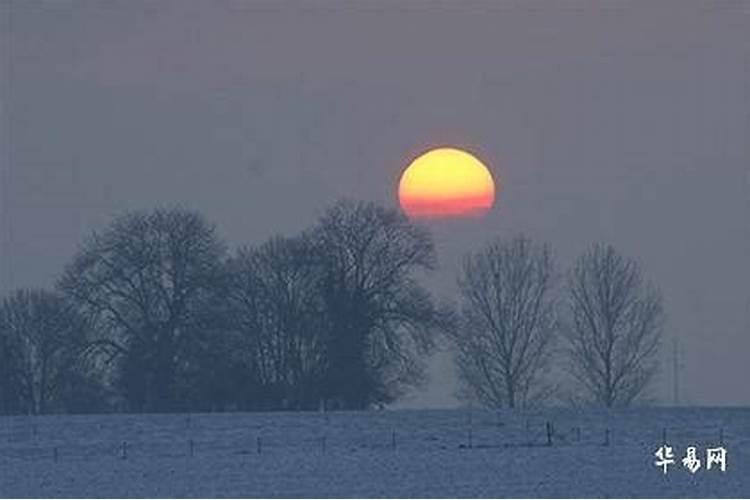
(155, 310)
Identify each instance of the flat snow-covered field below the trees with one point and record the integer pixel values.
(372, 454)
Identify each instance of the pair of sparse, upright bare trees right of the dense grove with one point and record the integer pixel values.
(605, 327)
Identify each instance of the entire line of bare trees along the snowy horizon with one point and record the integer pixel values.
(154, 314)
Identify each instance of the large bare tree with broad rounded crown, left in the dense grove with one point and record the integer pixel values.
(145, 281)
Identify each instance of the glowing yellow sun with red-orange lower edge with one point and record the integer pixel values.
(446, 182)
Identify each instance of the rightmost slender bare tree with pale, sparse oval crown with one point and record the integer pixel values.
(614, 328)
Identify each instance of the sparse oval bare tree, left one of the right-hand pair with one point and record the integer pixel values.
(506, 323)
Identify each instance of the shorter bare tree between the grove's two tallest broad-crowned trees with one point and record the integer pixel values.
(278, 312)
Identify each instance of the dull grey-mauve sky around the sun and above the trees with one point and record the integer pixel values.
(621, 122)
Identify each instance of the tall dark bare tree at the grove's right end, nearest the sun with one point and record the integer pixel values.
(379, 318)
